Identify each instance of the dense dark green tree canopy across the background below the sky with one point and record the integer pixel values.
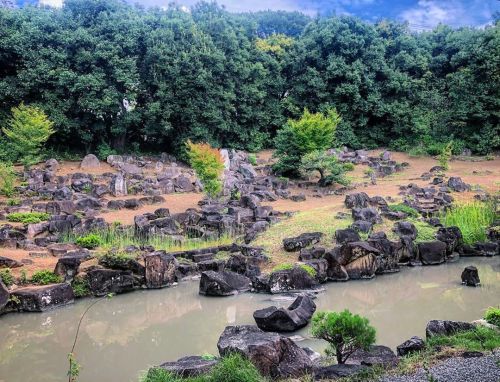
(110, 74)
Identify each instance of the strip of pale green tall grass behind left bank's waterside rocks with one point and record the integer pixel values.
(117, 237)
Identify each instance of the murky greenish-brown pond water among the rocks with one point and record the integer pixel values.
(124, 335)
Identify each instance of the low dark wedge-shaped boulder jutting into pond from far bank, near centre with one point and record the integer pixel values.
(224, 283)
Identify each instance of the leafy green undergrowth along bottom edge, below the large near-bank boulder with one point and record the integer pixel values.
(232, 368)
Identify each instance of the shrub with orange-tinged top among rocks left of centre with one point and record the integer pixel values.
(208, 165)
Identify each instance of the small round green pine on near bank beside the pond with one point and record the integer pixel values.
(345, 332)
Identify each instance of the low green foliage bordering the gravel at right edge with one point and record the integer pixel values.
(477, 339)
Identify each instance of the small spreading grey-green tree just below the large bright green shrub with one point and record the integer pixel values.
(329, 168)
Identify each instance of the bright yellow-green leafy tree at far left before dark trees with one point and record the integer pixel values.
(26, 133)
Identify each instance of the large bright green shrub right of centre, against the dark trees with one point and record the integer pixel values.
(311, 132)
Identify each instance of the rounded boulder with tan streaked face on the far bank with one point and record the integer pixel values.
(359, 259)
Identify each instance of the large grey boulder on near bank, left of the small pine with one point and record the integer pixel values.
(274, 356)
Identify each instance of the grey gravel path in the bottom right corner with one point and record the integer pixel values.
(480, 369)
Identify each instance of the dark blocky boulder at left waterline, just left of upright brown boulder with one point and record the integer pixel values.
(104, 281)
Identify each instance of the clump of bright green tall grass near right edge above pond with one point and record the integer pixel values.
(473, 218)
